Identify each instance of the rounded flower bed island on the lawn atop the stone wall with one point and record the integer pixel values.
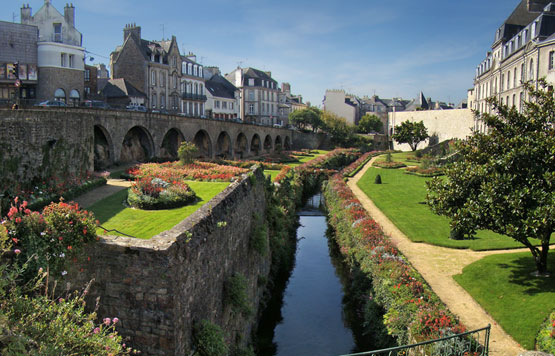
(154, 193)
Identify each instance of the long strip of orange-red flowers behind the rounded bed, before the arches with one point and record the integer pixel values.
(175, 171)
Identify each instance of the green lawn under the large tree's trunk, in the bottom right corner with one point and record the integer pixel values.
(503, 286)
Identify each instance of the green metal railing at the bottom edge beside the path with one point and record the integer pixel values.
(470, 343)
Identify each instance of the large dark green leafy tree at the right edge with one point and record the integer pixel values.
(505, 180)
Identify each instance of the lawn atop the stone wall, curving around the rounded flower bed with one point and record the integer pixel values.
(145, 224)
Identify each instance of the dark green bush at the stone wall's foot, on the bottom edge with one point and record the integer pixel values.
(209, 339)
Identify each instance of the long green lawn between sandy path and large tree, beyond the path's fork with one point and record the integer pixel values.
(402, 199)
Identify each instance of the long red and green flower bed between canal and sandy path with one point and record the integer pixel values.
(409, 301)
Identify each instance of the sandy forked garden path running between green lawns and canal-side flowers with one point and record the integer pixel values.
(438, 265)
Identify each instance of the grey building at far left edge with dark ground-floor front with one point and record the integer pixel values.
(18, 43)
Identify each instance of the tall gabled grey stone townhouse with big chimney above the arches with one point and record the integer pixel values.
(171, 81)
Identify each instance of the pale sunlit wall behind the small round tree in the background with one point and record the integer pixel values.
(446, 124)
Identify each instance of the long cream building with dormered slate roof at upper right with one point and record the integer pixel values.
(523, 50)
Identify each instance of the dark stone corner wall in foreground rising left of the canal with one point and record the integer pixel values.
(160, 287)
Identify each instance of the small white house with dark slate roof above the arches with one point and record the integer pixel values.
(222, 96)
